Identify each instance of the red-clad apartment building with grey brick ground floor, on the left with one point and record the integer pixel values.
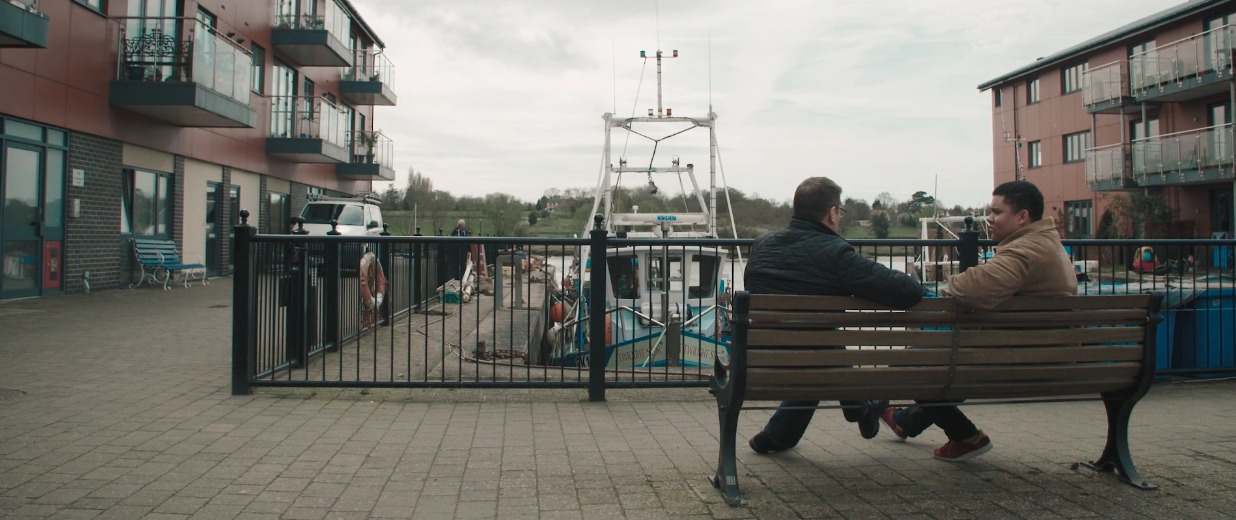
(165, 118)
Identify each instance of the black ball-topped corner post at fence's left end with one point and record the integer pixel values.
(244, 329)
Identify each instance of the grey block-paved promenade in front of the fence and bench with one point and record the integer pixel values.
(118, 406)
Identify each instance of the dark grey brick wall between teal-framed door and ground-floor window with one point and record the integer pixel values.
(92, 241)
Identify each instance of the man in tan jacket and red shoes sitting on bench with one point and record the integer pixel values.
(1030, 261)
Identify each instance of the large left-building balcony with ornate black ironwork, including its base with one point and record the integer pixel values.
(201, 80)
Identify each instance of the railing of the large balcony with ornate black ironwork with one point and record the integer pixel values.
(156, 50)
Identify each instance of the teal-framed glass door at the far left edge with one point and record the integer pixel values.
(22, 195)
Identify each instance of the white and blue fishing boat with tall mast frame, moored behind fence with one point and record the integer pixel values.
(667, 303)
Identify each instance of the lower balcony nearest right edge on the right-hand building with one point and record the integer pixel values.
(1195, 156)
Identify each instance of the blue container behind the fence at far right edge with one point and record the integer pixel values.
(1207, 332)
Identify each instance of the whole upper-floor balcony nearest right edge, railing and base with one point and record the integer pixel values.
(1186, 70)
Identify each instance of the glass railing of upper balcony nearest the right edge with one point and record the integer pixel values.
(1187, 59)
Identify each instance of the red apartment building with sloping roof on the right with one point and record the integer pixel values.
(1146, 107)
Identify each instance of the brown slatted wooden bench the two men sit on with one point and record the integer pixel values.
(1029, 350)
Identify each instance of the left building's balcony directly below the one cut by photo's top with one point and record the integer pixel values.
(308, 130)
